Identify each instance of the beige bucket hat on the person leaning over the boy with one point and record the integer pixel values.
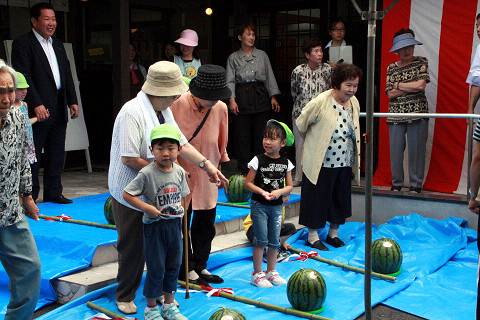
(164, 79)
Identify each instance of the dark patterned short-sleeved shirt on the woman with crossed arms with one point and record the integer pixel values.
(414, 102)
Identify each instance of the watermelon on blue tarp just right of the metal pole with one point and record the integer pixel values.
(386, 256)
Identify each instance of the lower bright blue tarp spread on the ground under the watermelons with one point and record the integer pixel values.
(428, 246)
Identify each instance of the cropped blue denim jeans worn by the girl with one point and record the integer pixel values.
(266, 224)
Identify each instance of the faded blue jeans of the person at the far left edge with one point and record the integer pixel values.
(19, 256)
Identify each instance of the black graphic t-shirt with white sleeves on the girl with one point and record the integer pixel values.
(270, 176)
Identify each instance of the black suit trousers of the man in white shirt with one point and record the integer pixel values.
(49, 136)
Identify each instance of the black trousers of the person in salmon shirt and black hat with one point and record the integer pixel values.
(202, 233)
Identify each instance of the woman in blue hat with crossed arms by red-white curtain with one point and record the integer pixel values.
(406, 82)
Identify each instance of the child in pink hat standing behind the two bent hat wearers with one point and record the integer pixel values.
(188, 61)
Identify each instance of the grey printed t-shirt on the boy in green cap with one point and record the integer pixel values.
(162, 189)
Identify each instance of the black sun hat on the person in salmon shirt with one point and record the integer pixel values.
(210, 83)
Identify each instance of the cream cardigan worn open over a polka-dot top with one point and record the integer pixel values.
(318, 120)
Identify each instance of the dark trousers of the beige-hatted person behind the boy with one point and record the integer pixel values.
(131, 256)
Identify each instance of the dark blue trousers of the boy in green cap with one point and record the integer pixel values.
(163, 255)
